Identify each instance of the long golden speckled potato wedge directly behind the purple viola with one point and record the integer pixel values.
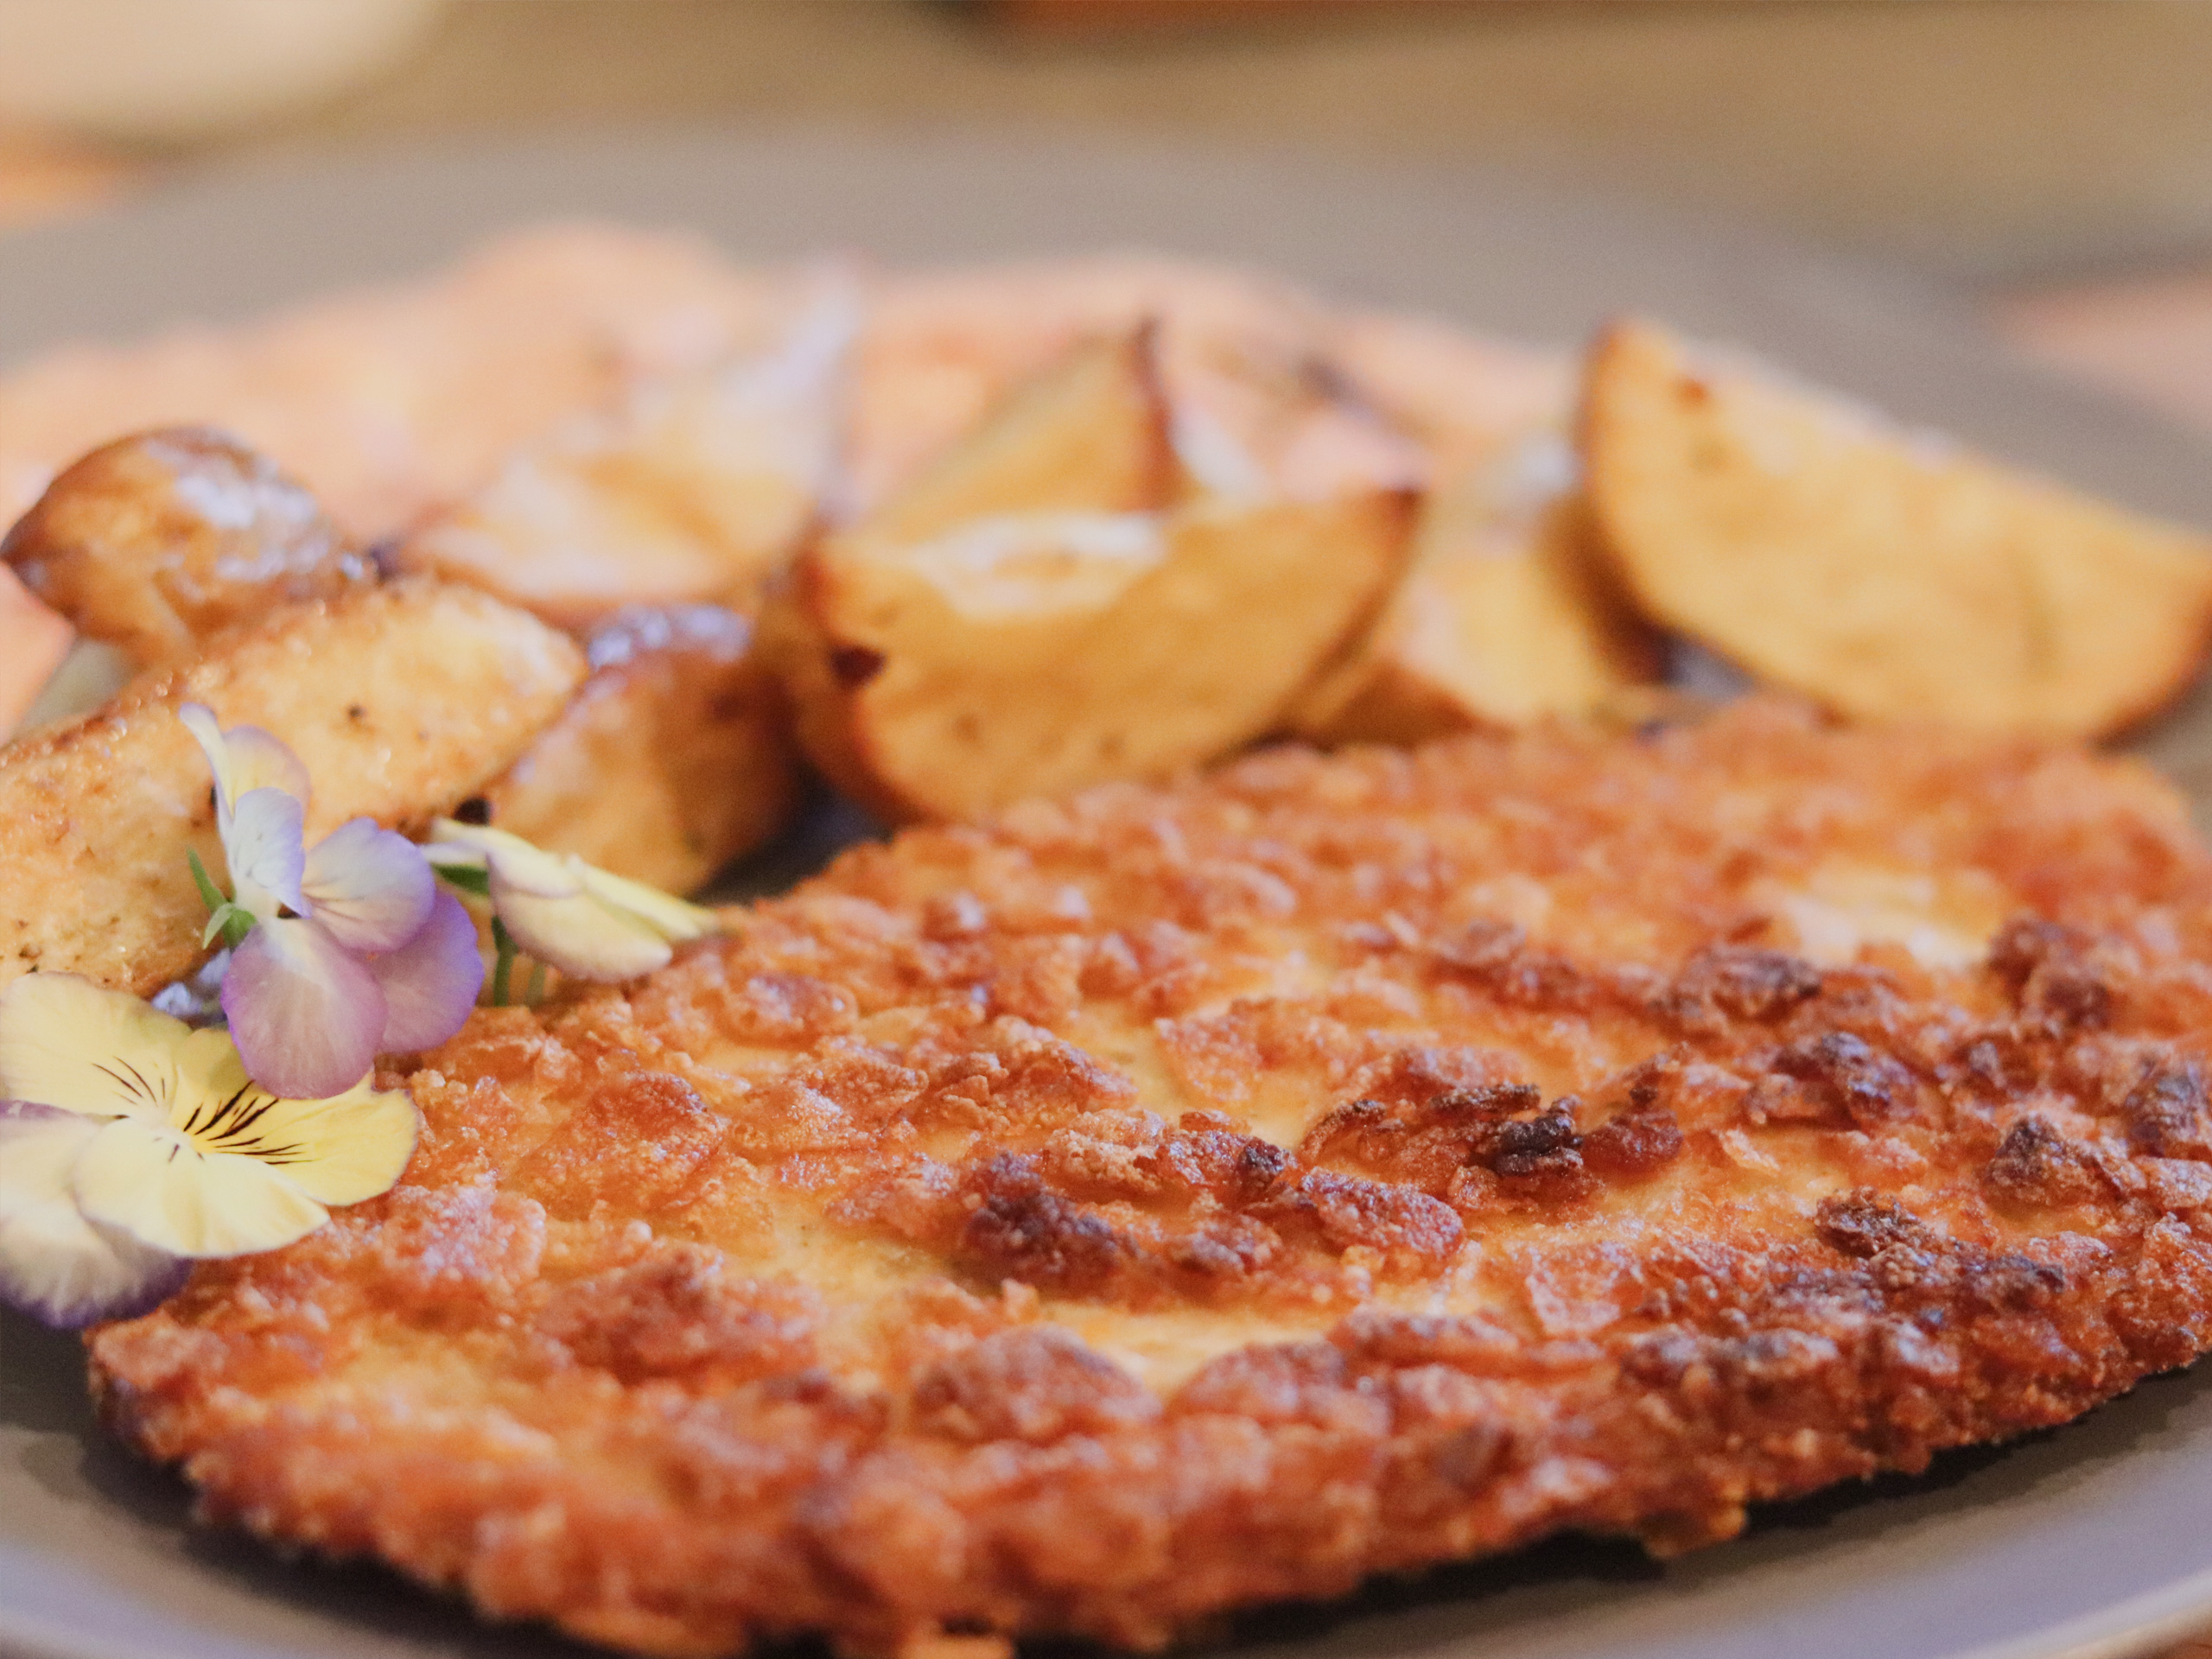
(399, 700)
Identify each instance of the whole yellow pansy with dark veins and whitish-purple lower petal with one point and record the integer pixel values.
(134, 1145)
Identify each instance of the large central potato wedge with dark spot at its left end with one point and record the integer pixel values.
(1047, 651)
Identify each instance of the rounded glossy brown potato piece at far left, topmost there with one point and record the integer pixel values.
(165, 539)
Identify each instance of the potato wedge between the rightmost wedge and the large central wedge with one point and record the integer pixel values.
(1501, 620)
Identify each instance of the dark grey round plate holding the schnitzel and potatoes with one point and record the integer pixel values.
(2089, 1543)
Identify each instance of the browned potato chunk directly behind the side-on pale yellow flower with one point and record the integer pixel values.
(671, 760)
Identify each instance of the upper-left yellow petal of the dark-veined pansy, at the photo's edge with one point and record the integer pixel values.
(67, 1043)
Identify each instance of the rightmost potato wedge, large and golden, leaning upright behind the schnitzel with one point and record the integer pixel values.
(1879, 574)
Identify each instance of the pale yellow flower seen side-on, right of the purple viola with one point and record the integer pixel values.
(576, 917)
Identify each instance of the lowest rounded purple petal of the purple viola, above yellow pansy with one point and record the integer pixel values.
(304, 1010)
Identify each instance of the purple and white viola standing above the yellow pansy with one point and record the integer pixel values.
(340, 952)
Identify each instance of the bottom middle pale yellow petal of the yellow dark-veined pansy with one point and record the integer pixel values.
(167, 1193)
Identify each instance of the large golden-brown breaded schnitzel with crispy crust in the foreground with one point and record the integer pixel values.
(1185, 1198)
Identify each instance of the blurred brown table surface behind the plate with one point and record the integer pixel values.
(2052, 154)
